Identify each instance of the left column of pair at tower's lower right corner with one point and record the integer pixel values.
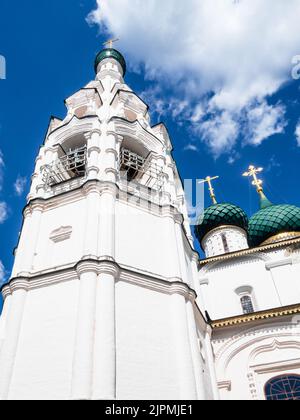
(182, 349)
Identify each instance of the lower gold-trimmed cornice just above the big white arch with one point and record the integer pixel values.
(257, 316)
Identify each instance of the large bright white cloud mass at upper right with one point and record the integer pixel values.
(238, 52)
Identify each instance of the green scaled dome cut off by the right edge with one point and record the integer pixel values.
(272, 220)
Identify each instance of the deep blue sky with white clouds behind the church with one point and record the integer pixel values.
(217, 127)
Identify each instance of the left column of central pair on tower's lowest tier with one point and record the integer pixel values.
(84, 343)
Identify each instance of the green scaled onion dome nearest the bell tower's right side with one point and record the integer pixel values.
(220, 215)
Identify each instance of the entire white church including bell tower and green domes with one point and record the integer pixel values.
(108, 298)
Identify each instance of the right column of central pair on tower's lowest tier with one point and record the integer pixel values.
(104, 375)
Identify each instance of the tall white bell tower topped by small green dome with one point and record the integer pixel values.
(102, 299)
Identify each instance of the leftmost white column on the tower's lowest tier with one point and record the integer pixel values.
(10, 345)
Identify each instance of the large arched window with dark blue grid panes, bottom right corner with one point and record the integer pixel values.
(285, 387)
